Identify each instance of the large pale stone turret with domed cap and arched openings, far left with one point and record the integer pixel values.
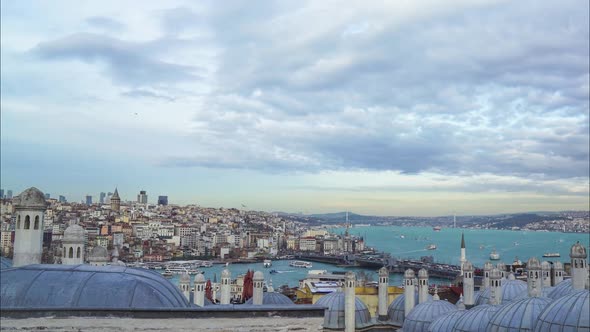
(29, 208)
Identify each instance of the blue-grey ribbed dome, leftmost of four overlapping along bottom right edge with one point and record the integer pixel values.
(425, 313)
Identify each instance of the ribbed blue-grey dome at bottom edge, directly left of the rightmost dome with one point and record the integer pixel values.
(519, 315)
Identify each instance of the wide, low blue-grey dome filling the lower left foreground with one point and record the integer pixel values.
(85, 286)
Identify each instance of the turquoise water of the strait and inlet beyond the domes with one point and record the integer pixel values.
(448, 240)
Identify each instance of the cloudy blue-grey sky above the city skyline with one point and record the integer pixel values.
(377, 107)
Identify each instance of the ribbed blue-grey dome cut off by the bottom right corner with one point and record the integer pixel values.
(569, 313)
